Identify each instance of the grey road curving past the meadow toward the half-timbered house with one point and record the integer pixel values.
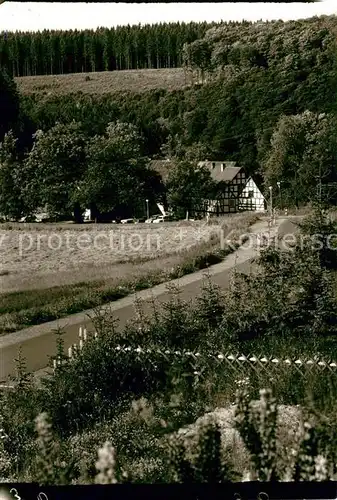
(38, 342)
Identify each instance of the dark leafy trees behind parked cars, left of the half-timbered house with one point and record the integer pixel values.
(66, 172)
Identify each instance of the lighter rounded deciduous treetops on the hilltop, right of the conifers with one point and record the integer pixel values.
(290, 46)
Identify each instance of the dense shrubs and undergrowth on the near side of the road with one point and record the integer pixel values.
(88, 398)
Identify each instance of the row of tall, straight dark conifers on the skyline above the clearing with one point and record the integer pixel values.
(104, 49)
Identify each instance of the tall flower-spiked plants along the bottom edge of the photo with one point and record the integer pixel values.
(206, 459)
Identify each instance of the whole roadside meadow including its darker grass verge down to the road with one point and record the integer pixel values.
(51, 271)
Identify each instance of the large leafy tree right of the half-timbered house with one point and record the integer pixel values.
(302, 155)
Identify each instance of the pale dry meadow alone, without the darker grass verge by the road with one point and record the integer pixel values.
(36, 255)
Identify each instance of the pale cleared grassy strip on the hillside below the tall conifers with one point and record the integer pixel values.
(105, 82)
